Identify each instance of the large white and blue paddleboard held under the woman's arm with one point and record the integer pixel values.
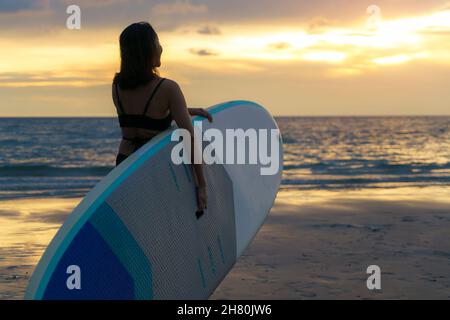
(136, 234)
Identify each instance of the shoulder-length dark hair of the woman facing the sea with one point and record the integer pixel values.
(137, 53)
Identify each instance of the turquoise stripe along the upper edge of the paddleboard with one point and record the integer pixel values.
(67, 239)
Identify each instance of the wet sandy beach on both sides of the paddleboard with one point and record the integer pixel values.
(314, 245)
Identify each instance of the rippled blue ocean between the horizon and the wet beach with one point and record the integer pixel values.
(66, 157)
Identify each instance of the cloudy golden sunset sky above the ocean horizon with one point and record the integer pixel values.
(295, 57)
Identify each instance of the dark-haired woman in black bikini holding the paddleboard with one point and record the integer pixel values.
(146, 103)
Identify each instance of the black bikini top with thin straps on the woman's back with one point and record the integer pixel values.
(142, 121)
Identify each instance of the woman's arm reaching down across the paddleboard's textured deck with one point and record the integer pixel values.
(180, 113)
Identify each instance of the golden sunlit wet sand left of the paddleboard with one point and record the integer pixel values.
(26, 228)
